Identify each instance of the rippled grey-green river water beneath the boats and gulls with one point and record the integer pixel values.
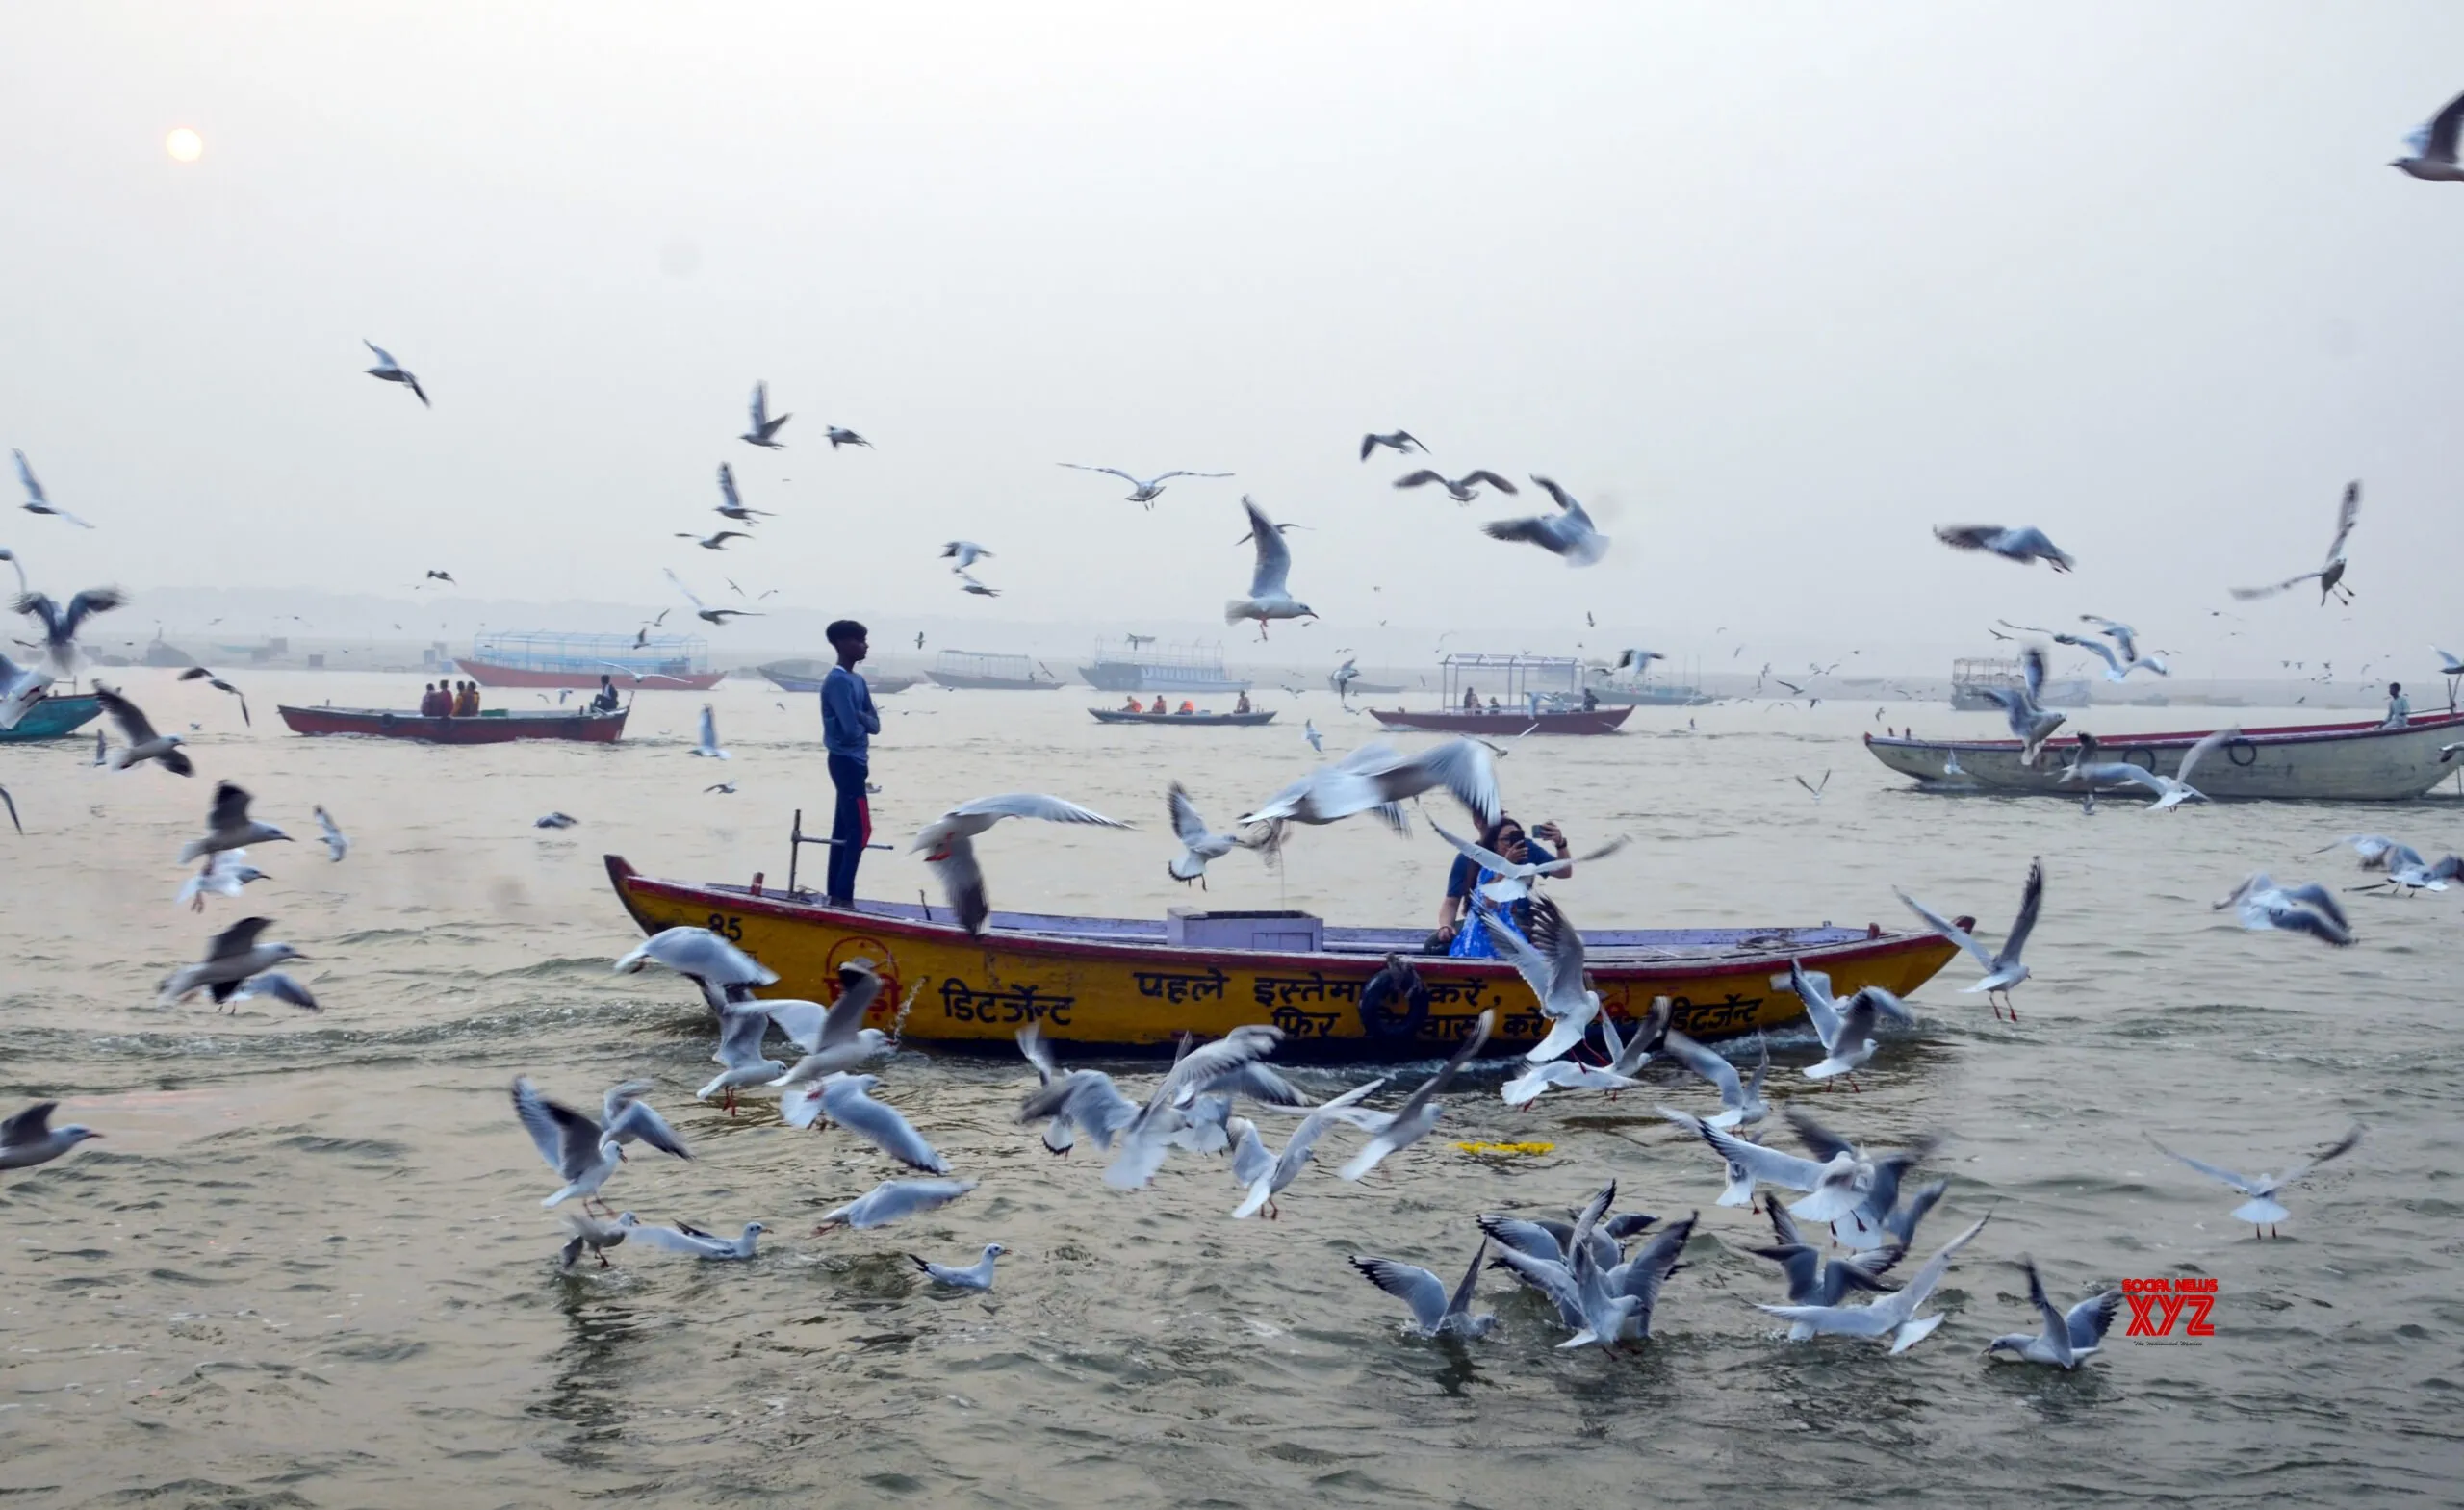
(309, 1262)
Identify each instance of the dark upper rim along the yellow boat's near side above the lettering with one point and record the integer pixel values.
(1122, 952)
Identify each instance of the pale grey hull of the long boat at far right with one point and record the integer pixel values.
(2305, 762)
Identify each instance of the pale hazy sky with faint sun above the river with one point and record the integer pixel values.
(1773, 287)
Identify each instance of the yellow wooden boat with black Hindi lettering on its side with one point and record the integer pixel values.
(1135, 984)
